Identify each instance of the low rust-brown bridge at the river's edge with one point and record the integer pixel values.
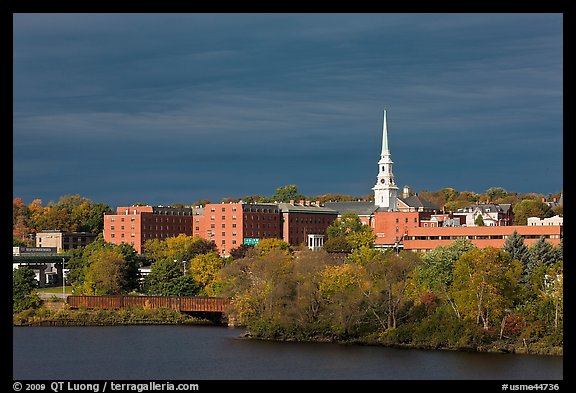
(179, 303)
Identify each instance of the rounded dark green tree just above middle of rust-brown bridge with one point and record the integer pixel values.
(166, 278)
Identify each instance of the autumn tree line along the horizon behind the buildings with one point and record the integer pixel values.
(76, 213)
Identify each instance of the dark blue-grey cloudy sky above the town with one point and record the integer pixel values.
(165, 108)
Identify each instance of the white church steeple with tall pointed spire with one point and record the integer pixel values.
(385, 190)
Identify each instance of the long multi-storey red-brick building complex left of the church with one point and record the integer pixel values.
(228, 225)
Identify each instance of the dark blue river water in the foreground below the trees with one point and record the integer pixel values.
(217, 353)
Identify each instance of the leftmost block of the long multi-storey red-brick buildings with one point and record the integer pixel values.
(137, 224)
